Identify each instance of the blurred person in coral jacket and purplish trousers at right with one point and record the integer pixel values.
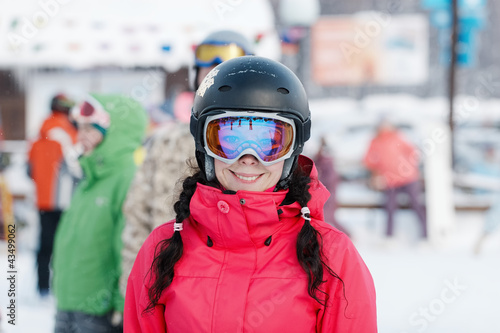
(393, 163)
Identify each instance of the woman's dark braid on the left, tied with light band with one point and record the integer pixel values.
(169, 251)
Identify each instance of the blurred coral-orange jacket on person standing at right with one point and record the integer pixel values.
(393, 158)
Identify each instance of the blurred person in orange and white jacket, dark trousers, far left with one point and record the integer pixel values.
(51, 165)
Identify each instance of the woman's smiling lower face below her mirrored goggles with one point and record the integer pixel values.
(248, 174)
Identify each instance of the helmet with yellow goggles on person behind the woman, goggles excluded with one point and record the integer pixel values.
(221, 37)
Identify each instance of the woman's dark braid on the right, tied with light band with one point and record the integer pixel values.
(309, 246)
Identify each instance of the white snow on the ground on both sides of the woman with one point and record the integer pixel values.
(420, 288)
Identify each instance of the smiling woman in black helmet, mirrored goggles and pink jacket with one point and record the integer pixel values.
(249, 250)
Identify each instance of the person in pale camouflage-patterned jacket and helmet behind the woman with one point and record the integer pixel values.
(151, 195)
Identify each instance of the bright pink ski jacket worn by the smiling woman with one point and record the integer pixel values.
(241, 285)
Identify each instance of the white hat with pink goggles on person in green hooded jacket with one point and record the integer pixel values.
(92, 112)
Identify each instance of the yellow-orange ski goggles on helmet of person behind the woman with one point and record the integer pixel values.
(210, 54)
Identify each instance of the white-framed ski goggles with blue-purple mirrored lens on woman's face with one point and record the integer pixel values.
(267, 136)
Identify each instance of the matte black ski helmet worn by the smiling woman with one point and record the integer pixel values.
(251, 83)
